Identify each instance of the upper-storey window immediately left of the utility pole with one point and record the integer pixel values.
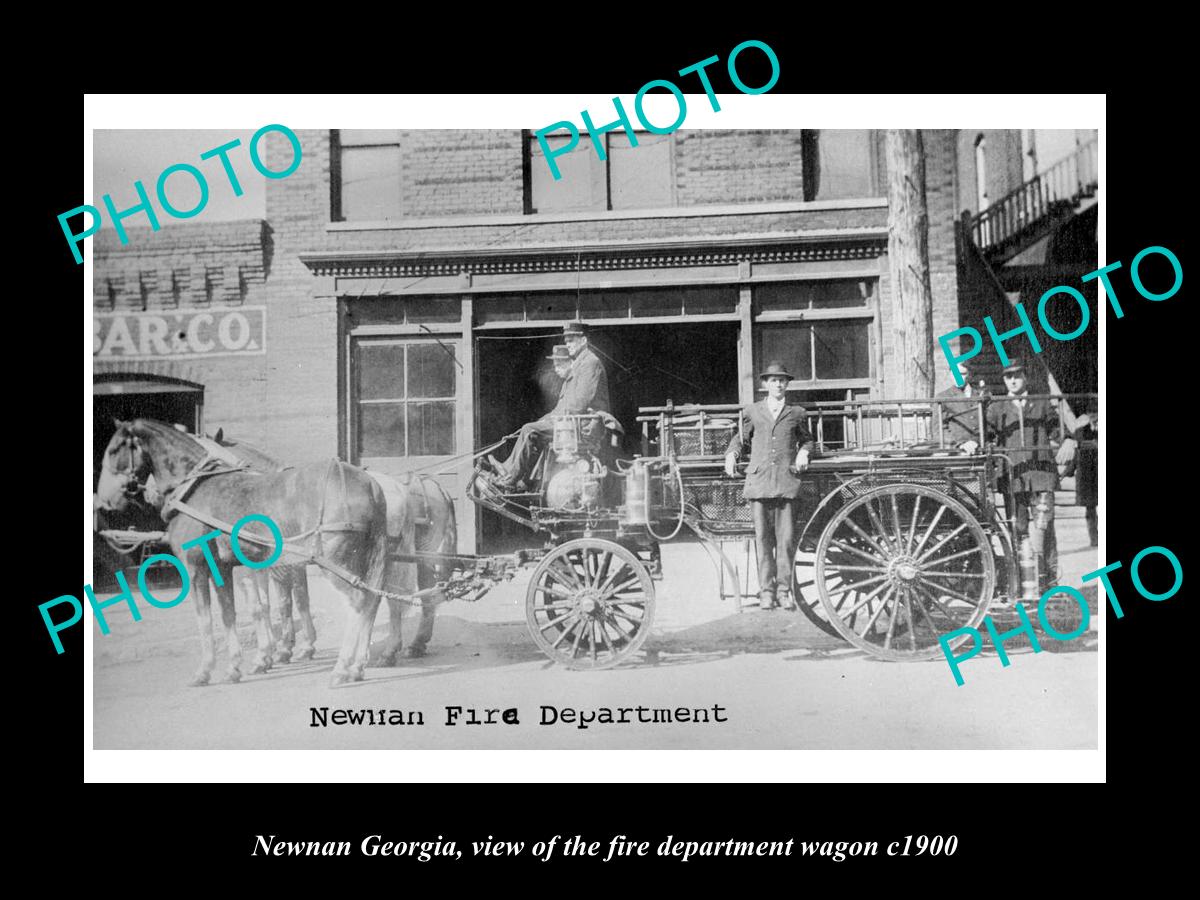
(843, 165)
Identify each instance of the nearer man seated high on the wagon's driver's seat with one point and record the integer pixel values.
(585, 389)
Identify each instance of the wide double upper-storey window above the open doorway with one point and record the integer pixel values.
(629, 178)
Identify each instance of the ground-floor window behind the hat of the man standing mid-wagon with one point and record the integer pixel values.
(821, 331)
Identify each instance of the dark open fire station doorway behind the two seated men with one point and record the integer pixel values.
(647, 365)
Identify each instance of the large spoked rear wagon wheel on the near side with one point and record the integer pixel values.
(902, 566)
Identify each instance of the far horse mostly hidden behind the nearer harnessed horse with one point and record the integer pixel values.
(421, 517)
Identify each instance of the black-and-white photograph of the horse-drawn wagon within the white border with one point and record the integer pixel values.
(521, 439)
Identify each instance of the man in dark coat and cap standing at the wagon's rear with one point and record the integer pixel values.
(1035, 473)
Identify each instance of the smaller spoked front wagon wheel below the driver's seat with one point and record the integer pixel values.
(591, 604)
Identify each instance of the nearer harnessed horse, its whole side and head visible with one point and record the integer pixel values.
(301, 501)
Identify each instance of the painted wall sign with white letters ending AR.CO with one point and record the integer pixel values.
(179, 334)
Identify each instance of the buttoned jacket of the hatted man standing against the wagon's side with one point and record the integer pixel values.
(773, 448)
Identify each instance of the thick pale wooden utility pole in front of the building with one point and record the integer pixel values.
(913, 299)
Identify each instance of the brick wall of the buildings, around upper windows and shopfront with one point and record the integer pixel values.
(289, 401)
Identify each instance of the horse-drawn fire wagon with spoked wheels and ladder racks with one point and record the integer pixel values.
(903, 537)
